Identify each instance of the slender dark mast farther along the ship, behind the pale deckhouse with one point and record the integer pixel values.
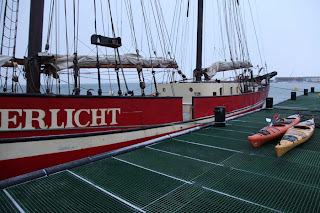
(198, 70)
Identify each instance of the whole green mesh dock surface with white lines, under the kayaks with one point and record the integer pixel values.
(212, 170)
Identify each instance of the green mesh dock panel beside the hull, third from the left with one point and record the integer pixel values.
(134, 184)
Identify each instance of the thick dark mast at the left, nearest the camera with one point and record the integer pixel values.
(34, 46)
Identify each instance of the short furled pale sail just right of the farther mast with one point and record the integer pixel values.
(220, 66)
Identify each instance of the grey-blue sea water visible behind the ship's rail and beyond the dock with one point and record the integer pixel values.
(278, 91)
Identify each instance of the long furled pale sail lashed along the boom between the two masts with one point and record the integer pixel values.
(127, 60)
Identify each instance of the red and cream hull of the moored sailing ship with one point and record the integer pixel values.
(39, 131)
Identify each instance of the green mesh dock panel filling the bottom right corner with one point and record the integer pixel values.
(263, 190)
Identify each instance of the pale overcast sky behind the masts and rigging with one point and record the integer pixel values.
(288, 31)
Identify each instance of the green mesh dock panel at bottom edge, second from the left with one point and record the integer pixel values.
(63, 192)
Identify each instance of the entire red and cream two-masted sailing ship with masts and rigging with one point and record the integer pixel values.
(43, 130)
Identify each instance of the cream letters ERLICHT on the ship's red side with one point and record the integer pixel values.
(30, 119)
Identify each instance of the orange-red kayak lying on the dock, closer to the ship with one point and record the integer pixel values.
(276, 130)
